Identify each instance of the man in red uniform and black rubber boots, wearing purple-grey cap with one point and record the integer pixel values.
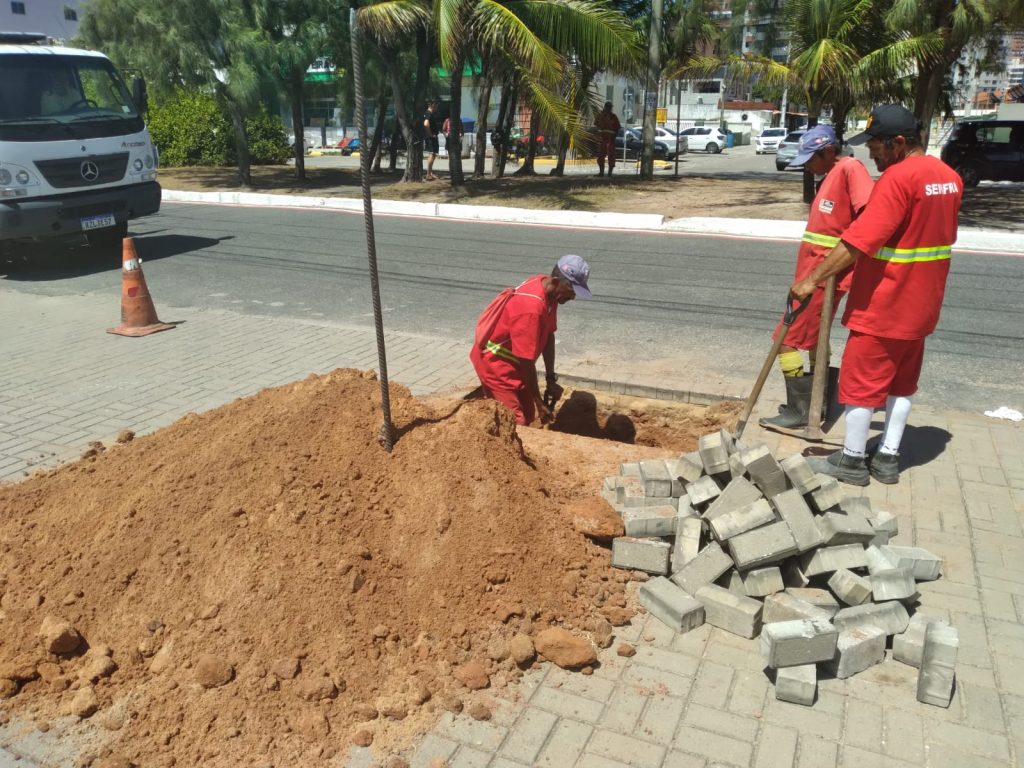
(842, 195)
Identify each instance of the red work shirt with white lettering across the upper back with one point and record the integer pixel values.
(907, 235)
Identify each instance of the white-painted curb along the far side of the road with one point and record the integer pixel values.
(969, 239)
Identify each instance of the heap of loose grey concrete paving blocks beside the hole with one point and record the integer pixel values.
(761, 547)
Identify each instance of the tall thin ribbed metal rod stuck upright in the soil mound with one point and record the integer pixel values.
(388, 429)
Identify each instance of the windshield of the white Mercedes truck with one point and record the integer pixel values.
(53, 98)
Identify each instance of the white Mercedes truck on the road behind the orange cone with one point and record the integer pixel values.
(76, 158)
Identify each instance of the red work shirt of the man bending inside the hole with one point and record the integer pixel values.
(526, 325)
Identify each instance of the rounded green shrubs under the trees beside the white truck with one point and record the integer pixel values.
(193, 129)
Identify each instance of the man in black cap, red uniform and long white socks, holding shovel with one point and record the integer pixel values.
(902, 245)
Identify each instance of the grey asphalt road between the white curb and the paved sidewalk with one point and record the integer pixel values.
(695, 312)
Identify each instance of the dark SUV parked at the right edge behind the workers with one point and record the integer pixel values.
(987, 150)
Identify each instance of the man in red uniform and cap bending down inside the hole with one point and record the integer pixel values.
(523, 331)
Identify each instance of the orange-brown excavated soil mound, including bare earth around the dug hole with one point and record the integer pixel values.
(264, 585)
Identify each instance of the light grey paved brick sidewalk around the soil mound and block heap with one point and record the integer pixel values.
(695, 700)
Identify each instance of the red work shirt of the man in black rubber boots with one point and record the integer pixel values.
(843, 195)
